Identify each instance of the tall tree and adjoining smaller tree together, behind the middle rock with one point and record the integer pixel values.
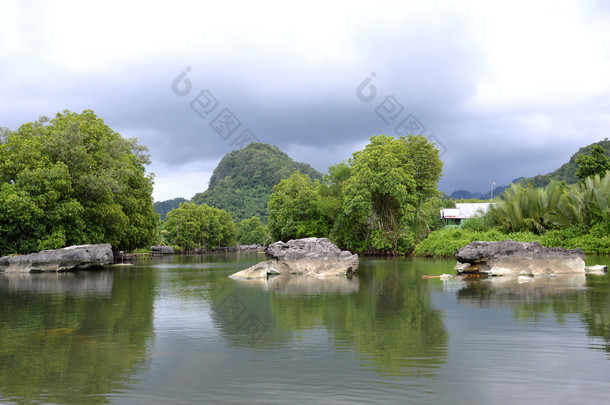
(383, 199)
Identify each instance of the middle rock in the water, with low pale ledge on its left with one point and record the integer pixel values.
(309, 257)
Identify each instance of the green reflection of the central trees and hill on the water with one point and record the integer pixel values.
(385, 313)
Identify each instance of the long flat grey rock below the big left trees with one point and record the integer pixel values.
(69, 258)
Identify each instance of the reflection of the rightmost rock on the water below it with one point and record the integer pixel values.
(499, 292)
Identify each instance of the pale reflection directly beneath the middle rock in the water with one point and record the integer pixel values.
(286, 284)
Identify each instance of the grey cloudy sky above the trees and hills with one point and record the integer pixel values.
(507, 89)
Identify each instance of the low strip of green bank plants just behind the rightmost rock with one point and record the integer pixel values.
(444, 243)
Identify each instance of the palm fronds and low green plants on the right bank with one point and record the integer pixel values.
(570, 216)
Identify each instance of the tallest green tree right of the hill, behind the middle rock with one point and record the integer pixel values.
(389, 180)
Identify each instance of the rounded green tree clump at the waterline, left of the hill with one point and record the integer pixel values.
(199, 226)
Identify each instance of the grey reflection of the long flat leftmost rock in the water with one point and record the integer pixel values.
(72, 284)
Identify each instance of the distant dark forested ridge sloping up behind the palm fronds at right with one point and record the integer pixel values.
(567, 173)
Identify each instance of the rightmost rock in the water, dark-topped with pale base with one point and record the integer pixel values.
(518, 258)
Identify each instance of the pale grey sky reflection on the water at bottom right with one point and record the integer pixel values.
(503, 360)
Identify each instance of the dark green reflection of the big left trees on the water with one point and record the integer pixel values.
(61, 344)
